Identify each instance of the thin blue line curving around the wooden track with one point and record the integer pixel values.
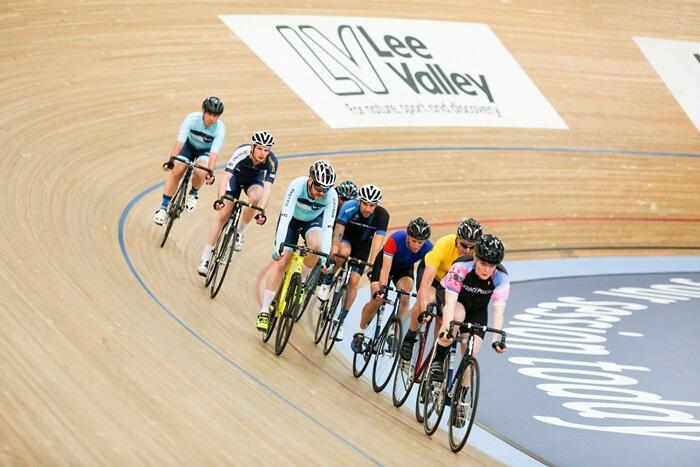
(137, 276)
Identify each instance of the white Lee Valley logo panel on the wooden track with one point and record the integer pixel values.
(371, 72)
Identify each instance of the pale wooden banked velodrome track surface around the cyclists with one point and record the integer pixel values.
(94, 371)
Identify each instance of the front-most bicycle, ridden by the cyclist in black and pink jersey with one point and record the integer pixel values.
(462, 395)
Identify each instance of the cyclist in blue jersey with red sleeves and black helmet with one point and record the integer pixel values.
(394, 263)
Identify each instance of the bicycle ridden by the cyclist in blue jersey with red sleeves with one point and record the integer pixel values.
(384, 345)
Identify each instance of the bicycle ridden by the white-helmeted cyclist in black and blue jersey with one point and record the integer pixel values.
(328, 320)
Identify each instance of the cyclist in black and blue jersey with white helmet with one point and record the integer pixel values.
(359, 232)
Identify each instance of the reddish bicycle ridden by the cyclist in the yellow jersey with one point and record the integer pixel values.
(409, 372)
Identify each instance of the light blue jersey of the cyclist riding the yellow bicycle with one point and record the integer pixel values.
(299, 205)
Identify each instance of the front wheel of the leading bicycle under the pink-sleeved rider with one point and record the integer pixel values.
(466, 396)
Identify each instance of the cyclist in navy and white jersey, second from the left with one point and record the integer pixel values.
(252, 169)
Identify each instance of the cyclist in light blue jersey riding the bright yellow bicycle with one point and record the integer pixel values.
(309, 208)
